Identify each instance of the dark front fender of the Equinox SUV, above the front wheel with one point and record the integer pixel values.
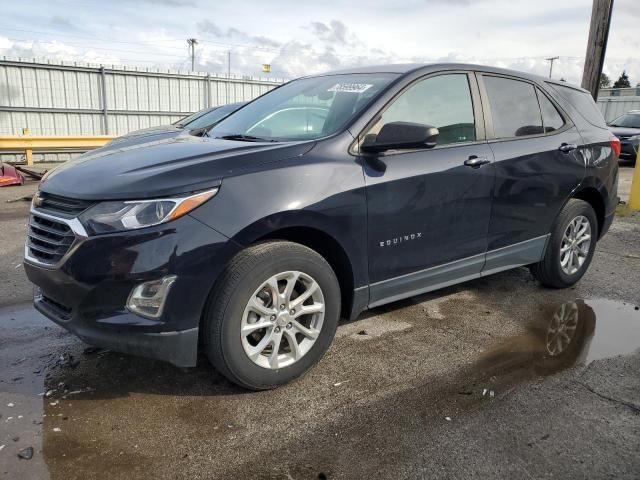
(321, 194)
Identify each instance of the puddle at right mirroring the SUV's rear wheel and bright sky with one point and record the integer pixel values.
(569, 335)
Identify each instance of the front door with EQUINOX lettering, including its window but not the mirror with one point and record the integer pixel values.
(429, 209)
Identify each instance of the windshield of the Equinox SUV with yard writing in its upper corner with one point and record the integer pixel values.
(304, 109)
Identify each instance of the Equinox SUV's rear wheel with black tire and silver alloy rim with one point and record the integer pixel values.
(570, 247)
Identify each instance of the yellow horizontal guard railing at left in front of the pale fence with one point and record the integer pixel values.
(30, 143)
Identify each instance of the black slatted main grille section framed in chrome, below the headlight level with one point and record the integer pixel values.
(48, 240)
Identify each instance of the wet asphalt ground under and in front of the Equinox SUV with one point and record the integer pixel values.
(495, 378)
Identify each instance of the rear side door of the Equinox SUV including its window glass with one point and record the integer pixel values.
(537, 165)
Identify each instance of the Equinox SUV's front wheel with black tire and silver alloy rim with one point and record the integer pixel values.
(272, 315)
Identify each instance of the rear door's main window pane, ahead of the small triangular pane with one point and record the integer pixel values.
(514, 107)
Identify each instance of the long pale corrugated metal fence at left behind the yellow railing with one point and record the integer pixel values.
(58, 98)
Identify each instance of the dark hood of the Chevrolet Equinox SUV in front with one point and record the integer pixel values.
(164, 167)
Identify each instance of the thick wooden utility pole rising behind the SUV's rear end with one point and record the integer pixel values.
(597, 45)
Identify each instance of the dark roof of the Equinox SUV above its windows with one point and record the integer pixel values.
(407, 68)
